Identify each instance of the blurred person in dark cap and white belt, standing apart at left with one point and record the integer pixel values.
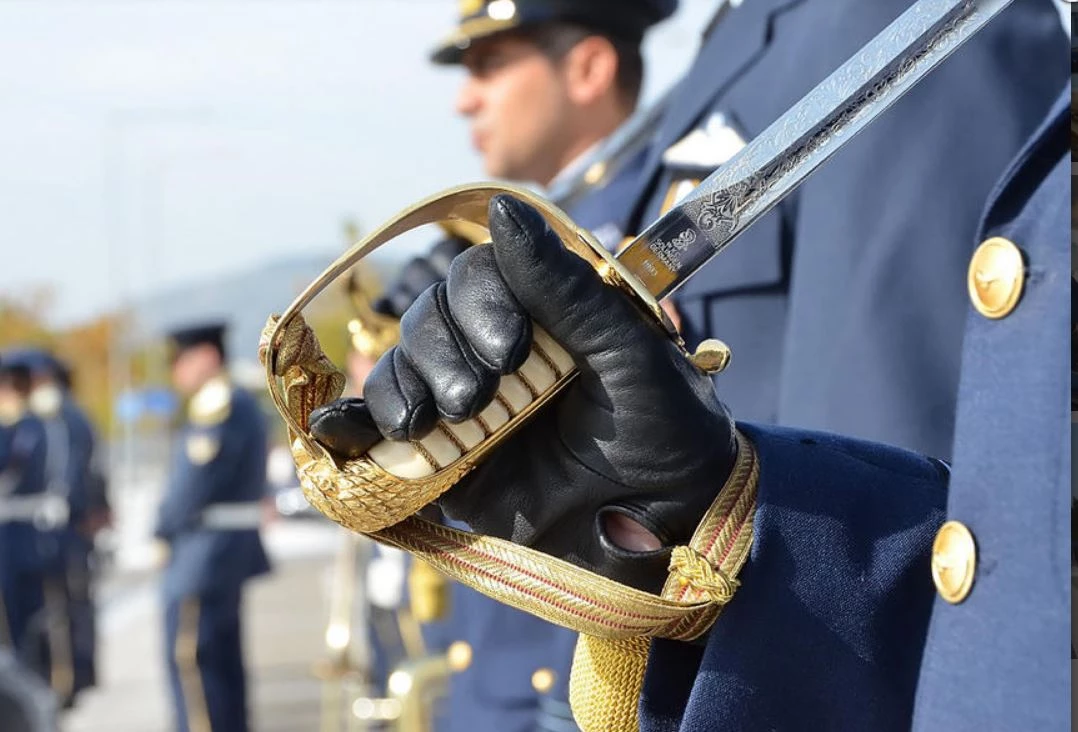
(211, 519)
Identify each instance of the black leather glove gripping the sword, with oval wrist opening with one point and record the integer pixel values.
(639, 436)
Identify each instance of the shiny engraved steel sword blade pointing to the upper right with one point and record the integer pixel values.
(729, 201)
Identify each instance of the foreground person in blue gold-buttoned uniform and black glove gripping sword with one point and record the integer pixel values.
(881, 589)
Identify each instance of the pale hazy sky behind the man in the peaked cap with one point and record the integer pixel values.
(147, 144)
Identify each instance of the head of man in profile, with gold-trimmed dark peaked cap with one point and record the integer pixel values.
(548, 82)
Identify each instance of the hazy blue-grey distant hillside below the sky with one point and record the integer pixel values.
(243, 299)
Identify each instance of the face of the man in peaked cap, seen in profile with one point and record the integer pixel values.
(517, 101)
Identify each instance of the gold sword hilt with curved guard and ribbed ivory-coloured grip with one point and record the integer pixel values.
(396, 479)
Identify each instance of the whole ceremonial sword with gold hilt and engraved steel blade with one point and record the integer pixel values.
(396, 479)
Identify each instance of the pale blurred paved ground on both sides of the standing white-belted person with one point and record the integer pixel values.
(286, 617)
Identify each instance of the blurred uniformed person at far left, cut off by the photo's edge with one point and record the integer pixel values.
(30, 551)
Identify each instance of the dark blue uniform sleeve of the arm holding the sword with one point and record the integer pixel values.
(827, 628)
